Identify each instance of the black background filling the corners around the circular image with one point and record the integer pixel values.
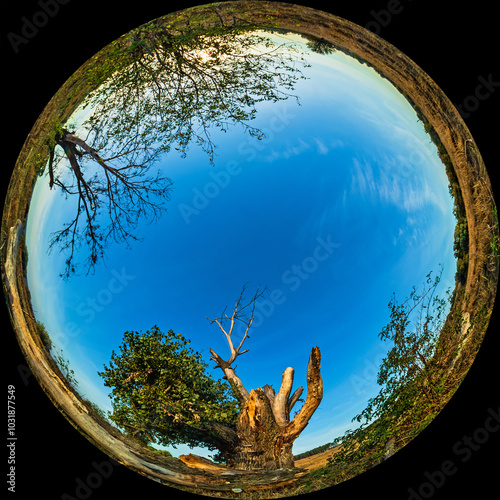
(454, 42)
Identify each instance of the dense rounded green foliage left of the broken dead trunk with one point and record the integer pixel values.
(161, 391)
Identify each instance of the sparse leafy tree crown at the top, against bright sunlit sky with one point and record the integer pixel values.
(174, 85)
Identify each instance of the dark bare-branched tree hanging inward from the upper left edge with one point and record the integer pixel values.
(125, 194)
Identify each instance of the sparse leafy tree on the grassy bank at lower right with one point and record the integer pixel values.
(409, 379)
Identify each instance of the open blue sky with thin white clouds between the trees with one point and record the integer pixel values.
(344, 202)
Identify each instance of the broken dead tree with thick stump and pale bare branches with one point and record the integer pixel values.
(265, 432)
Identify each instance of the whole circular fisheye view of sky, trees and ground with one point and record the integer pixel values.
(250, 250)
